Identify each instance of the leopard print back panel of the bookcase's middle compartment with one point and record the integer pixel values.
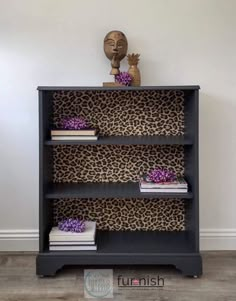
(117, 163)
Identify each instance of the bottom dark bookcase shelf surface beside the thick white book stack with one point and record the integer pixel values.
(124, 242)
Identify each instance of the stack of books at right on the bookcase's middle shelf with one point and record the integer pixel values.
(177, 186)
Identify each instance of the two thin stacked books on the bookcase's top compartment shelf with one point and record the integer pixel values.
(85, 134)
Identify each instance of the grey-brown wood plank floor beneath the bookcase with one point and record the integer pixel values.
(18, 281)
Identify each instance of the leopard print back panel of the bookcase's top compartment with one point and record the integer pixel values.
(145, 112)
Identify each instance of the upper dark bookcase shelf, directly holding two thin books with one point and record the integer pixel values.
(128, 140)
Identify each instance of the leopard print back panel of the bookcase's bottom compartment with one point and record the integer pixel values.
(124, 214)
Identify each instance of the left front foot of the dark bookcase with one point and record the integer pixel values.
(47, 267)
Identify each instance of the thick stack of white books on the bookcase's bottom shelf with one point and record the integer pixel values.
(72, 241)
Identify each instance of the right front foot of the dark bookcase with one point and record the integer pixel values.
(190, 266)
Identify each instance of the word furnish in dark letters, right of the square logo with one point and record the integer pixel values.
(143, 282)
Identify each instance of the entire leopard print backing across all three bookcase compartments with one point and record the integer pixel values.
(146, 112)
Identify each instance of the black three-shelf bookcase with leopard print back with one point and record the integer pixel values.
(178, 246)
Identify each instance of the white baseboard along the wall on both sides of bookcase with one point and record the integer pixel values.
(27, 240)
